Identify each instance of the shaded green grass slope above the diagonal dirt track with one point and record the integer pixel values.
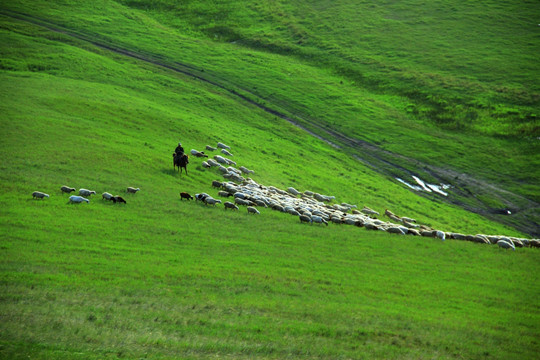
(470, 127)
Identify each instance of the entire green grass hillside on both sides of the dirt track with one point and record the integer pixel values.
(161, 278)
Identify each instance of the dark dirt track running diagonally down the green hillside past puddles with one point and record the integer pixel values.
(525, 212)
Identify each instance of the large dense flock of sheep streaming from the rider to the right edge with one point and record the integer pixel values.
(311, 207)
